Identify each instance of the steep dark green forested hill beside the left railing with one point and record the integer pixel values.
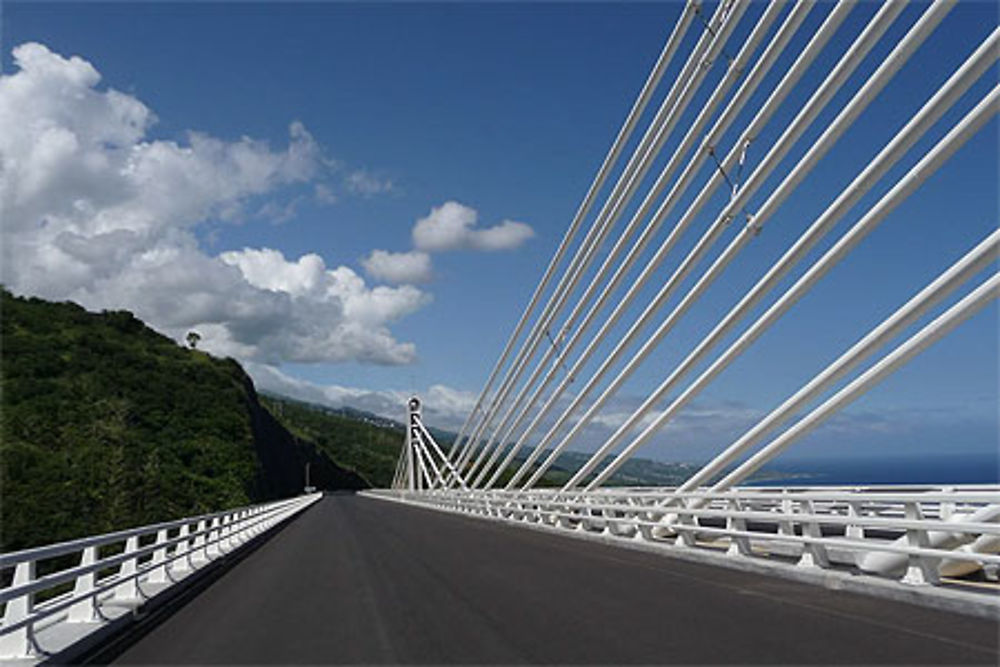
(106, 424)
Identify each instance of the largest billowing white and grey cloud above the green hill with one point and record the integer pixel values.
(96, 211)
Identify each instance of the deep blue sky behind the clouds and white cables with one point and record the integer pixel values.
(508, 109)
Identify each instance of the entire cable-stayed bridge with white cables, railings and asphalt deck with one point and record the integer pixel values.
(478, 553)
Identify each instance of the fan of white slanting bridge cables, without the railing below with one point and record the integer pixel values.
(735, 137)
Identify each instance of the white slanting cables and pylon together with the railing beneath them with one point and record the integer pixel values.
(747, 113)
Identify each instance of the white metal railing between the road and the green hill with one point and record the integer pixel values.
(115, 574)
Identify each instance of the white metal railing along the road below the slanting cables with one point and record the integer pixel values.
(913, 534)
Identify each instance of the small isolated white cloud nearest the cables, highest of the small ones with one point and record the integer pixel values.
(452, 226)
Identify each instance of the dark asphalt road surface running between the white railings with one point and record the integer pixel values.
(364, 581)
